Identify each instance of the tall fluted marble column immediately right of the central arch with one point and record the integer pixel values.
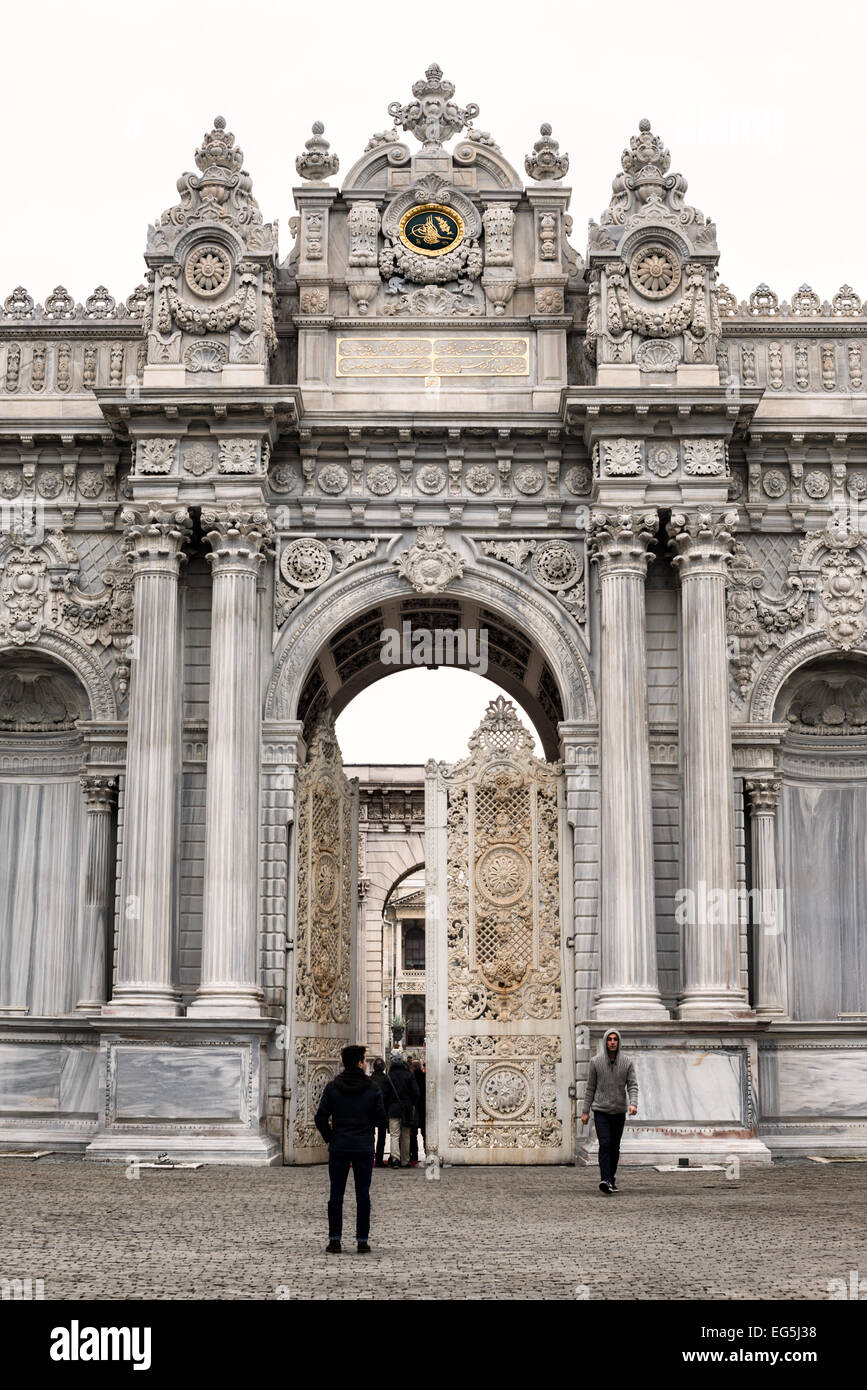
(629, 983)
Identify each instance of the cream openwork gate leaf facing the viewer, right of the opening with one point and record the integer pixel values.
(498, 1039)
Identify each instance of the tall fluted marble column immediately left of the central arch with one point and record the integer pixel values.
(230, 939)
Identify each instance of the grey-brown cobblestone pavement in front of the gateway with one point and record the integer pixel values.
(91, 1232)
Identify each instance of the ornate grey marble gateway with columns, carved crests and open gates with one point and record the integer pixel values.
(427, 411)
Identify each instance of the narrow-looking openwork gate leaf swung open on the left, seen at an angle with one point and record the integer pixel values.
(327, 854)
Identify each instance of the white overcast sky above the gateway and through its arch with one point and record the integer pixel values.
(761, 104)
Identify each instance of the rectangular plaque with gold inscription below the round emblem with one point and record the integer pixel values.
(459, 357)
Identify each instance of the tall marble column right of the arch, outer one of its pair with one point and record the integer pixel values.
(708, 911)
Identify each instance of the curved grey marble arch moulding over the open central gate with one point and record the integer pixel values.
(520, 604)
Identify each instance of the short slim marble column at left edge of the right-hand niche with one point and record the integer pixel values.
(769, 958)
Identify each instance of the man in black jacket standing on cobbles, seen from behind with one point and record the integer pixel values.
(355, 1109)
